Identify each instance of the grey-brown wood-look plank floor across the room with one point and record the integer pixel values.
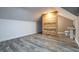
(39, 43)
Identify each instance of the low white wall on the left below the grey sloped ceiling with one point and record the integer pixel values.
(10, 29)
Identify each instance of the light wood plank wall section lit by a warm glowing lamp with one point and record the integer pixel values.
(50, 23)
